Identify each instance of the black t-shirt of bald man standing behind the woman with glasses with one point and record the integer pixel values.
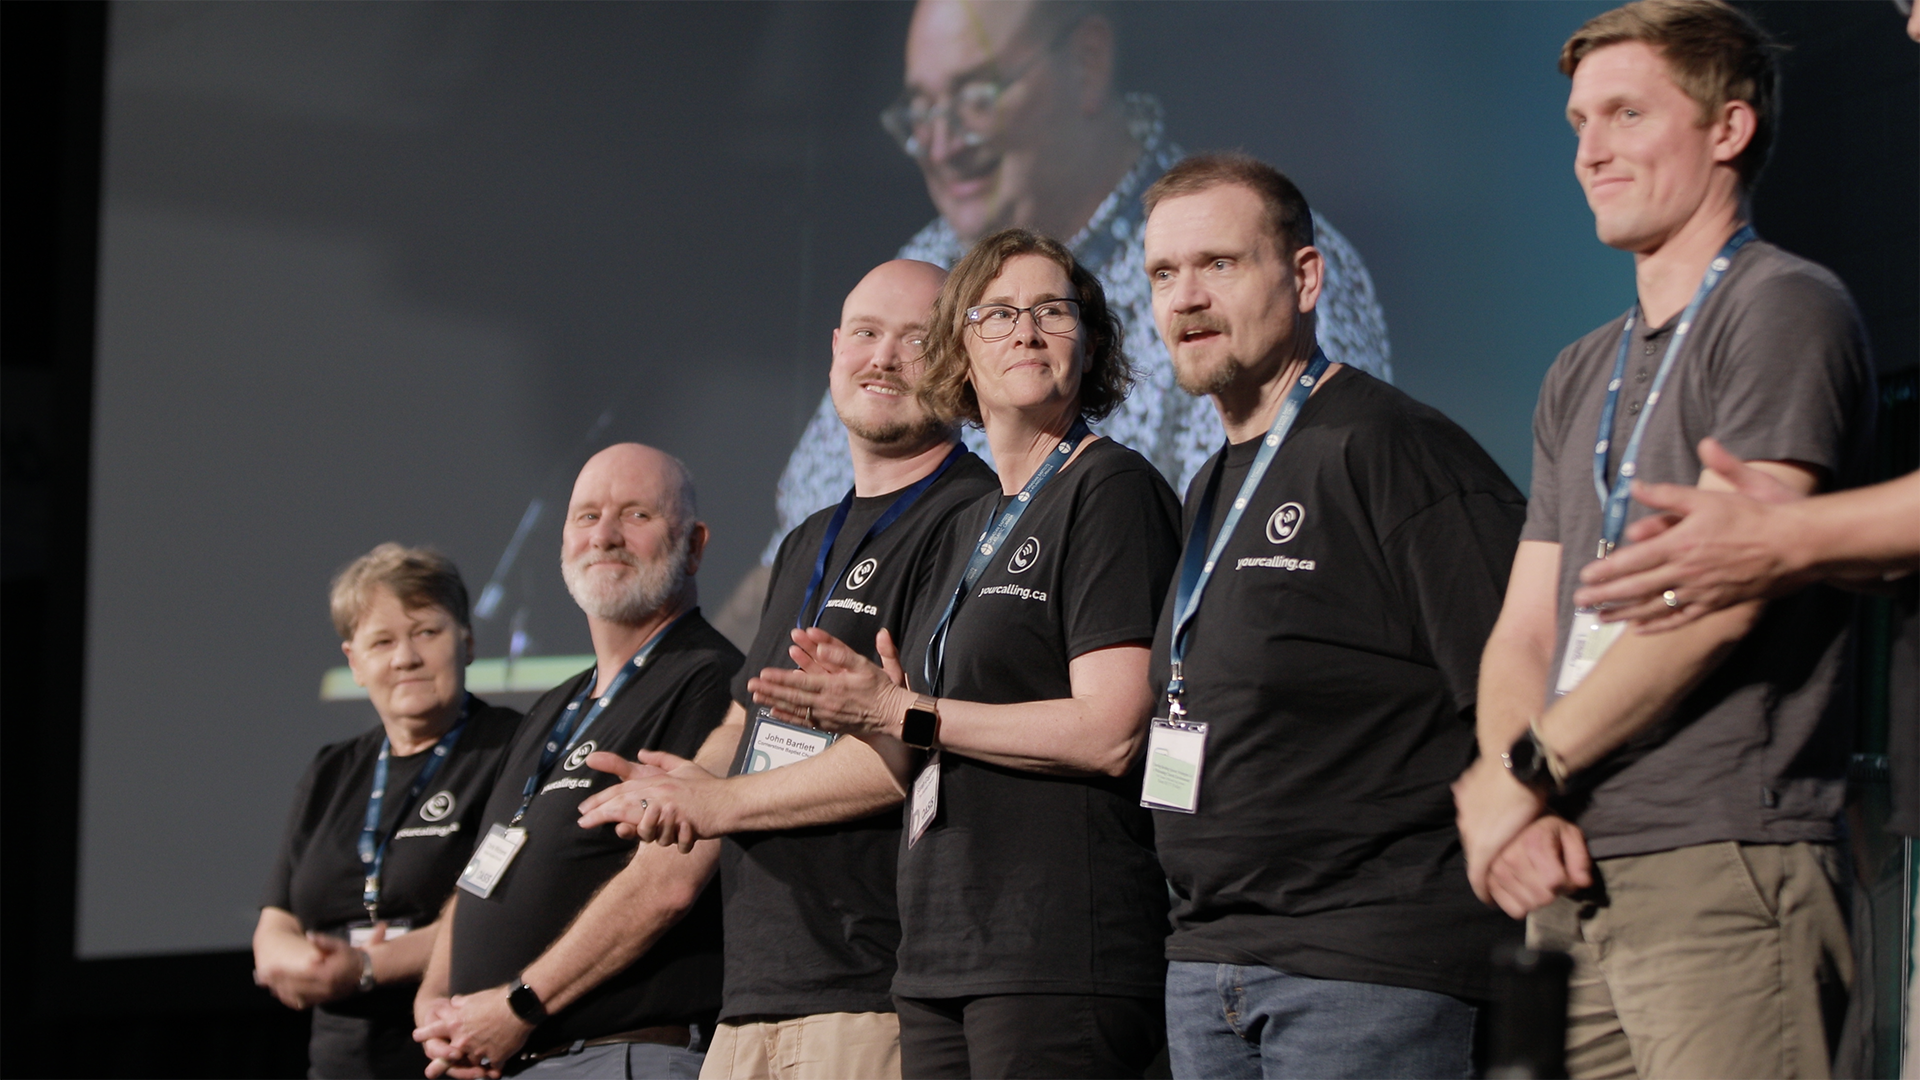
(811, 916)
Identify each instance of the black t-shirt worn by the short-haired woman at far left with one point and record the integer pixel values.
(320, 875)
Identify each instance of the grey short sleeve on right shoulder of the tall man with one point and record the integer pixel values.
(1790, 381)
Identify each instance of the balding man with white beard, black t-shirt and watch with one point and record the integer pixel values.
(569, 952)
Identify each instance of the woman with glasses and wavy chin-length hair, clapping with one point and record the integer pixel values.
(1032, 906)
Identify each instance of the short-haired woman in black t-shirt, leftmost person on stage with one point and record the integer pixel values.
(383, 823)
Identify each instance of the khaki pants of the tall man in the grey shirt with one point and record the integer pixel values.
(1700, 964)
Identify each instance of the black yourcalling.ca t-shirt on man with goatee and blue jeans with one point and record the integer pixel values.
(1335, 660)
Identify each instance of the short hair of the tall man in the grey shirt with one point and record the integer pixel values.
(1716, 53)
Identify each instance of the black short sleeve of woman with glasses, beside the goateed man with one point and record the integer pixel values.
(1126, 545)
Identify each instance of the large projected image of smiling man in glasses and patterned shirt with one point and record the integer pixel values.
(1013, 114)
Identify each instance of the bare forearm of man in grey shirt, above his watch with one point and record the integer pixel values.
(1639, 683)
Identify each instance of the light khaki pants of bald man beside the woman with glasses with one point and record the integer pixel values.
(827, 1046)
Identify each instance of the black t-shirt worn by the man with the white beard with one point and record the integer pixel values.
(671, 704)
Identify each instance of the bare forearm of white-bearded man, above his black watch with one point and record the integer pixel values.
(623, 921)
